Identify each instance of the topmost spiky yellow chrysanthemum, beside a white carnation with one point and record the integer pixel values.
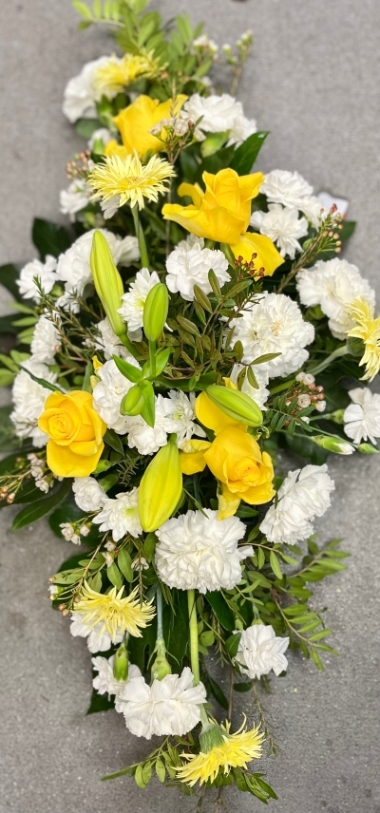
(117, 74)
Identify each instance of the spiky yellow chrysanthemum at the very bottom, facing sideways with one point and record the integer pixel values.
(235, 751)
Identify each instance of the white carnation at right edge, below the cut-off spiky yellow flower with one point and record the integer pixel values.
(362, 417)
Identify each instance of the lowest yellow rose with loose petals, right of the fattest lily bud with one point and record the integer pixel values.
(234, 458)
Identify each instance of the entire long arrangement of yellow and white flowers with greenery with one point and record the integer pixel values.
(195, 323)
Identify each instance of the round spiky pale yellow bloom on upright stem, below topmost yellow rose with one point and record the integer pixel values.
(131, 181)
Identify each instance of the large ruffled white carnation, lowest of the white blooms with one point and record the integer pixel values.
(170, 706)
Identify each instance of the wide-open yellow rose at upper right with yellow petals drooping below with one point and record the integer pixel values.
(222, 213)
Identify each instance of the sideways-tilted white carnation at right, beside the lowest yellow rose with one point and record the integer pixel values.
(304, 495)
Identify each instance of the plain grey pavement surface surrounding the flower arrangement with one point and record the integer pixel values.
(313, 81)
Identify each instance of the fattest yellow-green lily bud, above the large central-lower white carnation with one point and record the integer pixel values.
(160, 487)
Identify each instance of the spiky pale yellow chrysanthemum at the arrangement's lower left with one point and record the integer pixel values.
(117, 614)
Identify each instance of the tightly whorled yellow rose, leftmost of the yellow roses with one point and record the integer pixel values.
(75, 433)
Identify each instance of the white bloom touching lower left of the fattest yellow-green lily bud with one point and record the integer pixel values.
(120, 515)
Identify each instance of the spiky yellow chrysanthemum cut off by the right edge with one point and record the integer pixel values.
(367, 329)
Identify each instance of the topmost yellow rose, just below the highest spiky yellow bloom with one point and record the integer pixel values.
(136, 121)
